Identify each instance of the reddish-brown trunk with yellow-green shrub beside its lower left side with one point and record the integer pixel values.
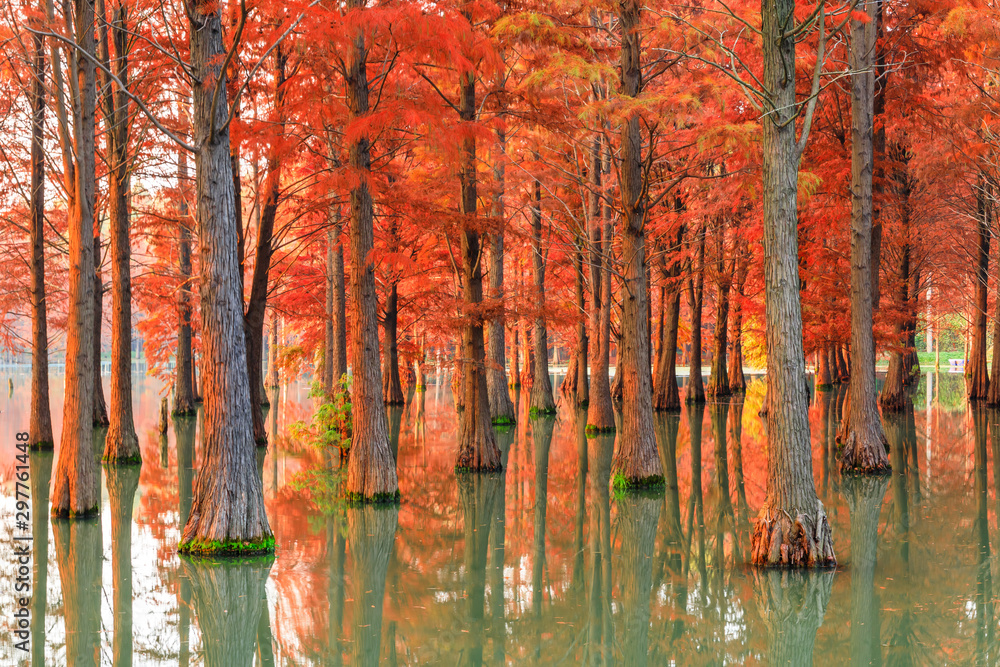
(371, 470)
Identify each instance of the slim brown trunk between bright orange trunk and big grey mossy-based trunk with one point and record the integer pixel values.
(122, 443)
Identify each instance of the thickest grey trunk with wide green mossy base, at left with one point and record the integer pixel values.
(227, 513)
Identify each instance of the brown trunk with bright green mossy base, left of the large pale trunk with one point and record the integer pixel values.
(636, 458)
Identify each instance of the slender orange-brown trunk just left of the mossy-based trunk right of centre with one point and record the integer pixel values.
(600, 412)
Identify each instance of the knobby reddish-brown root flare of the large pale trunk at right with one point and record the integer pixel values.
(778, 540)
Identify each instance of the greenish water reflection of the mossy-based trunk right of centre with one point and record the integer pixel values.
(638, 517)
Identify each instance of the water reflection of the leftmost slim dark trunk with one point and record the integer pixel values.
(40, 465)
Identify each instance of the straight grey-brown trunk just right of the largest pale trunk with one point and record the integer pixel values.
(864, 445)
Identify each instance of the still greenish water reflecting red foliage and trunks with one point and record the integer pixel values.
(543, 564)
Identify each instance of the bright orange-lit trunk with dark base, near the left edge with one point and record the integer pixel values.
(76, 487)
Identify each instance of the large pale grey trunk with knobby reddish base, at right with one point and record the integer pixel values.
(806, 540)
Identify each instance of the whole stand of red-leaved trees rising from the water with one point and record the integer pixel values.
(483, 179)
